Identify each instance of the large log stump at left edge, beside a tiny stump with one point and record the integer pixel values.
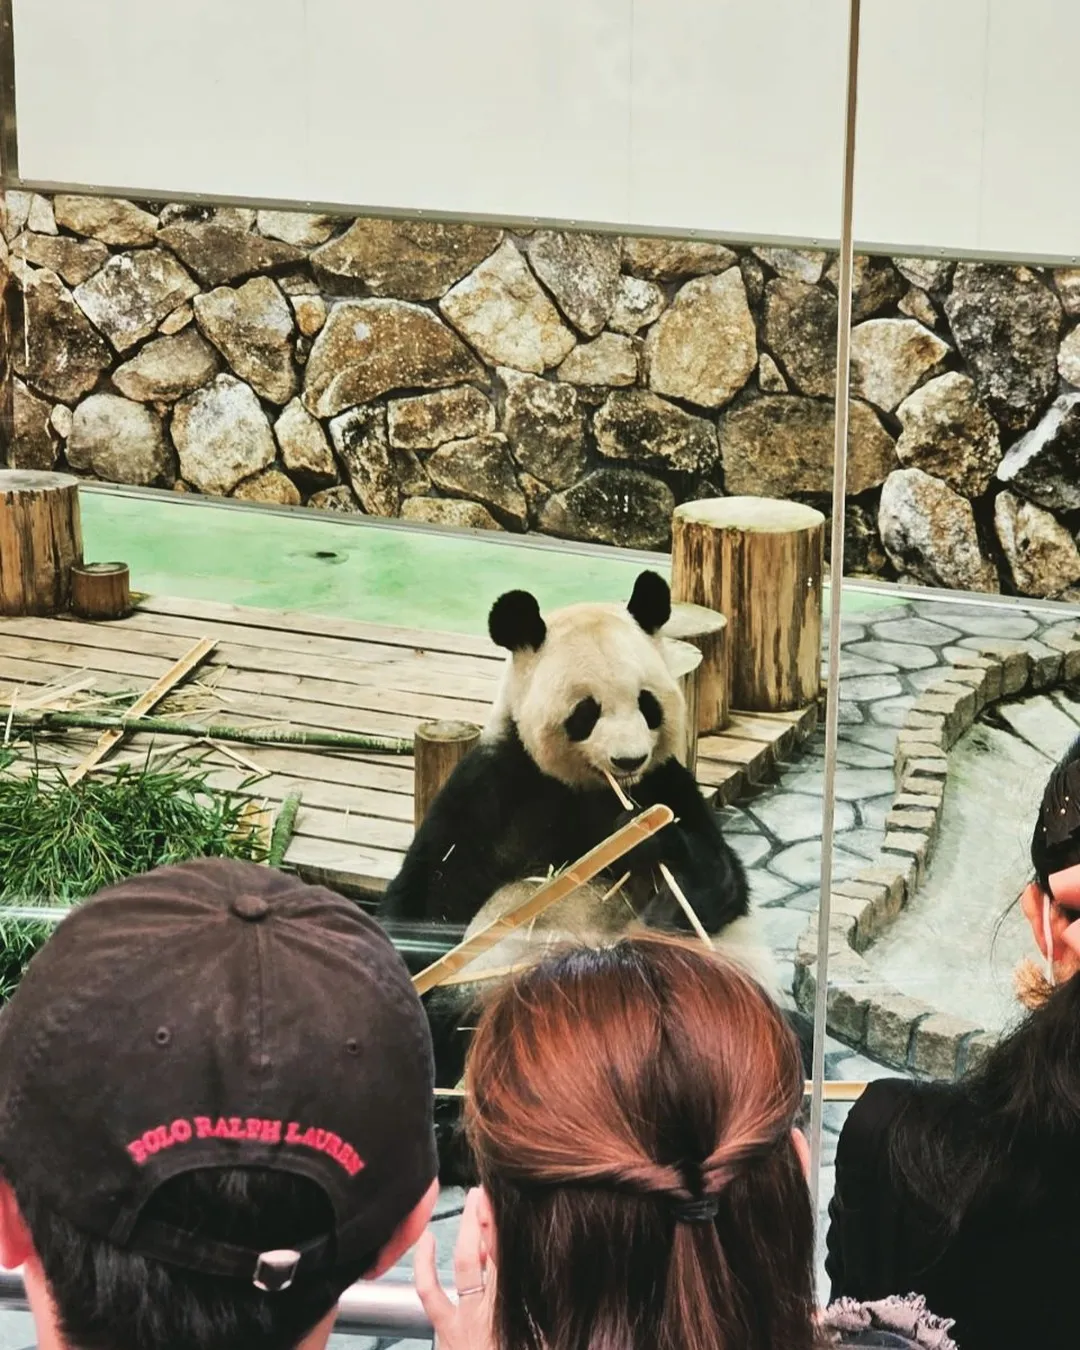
(41, 539)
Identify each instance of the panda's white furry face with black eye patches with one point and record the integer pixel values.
(596, 696)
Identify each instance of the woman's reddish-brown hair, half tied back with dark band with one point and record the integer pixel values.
(631, 1113)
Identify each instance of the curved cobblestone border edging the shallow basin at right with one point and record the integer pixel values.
(871, 1016)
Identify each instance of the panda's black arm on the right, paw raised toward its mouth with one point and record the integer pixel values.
(701, 861)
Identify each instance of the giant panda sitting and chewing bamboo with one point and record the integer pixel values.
(587, 692)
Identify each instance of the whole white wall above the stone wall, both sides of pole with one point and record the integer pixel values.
(718, 115)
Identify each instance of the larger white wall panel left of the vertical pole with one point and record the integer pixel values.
(720, 115)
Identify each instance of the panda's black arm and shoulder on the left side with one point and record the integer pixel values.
(453, 866)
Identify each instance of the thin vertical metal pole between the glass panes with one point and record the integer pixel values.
(836, 591)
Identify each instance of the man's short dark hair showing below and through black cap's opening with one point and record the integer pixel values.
(111, 1299)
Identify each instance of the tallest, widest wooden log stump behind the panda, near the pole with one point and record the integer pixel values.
(761, 564)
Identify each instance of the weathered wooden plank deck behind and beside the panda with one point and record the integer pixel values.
(311, 672)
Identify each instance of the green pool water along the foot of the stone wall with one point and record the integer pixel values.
(352, 568)
